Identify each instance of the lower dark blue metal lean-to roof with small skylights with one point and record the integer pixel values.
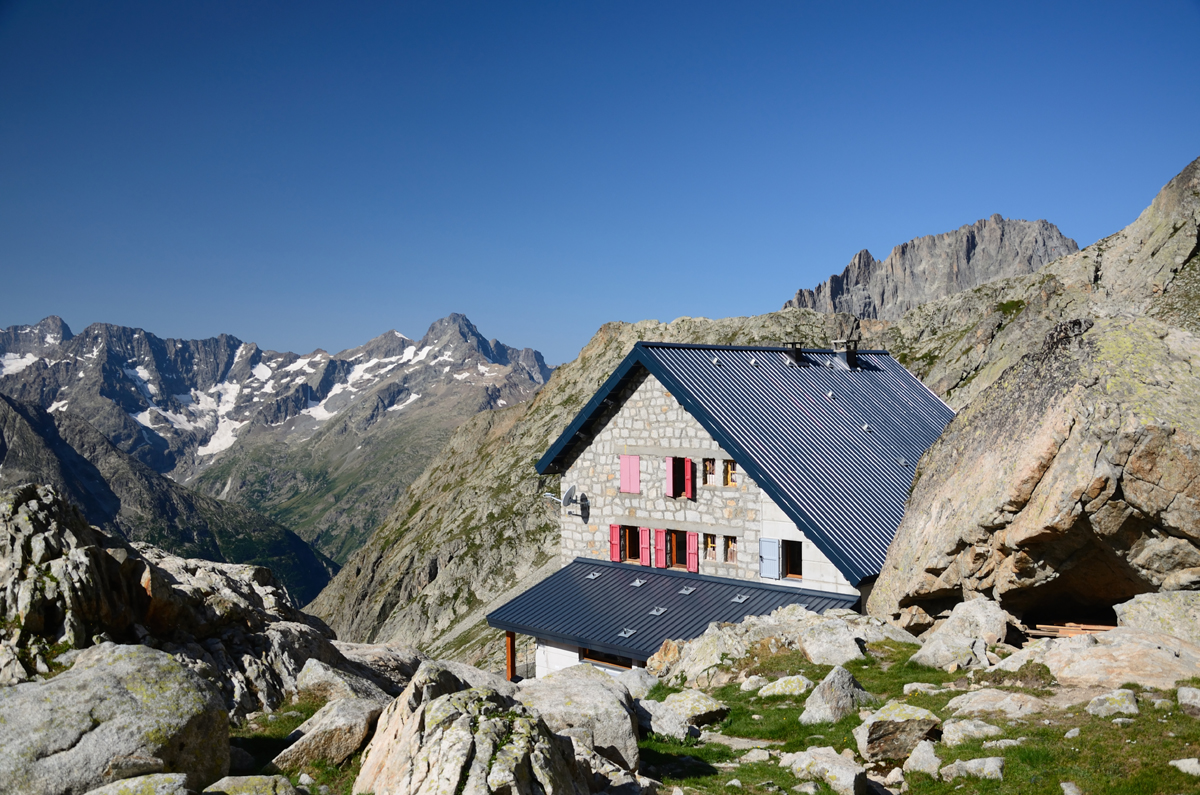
(571, 608)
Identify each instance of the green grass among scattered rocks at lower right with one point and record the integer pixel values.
(1105, 760)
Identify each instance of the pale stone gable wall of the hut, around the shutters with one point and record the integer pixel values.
(650, 423)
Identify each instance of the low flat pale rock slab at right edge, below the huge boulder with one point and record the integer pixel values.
(1112, 659)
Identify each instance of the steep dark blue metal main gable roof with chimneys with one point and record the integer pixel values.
(842, 485)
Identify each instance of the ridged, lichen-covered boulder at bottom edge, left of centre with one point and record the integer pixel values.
(469, 740)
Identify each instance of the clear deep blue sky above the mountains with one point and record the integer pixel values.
(313, 175)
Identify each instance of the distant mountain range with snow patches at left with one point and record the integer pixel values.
(325, 444)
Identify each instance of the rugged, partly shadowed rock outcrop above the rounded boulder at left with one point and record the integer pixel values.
(65, 584)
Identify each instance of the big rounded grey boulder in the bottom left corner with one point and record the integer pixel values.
(119, 713)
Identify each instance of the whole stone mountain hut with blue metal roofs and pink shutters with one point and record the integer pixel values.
(717, 482)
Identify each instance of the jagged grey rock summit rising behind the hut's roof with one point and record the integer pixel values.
(937, 266)
